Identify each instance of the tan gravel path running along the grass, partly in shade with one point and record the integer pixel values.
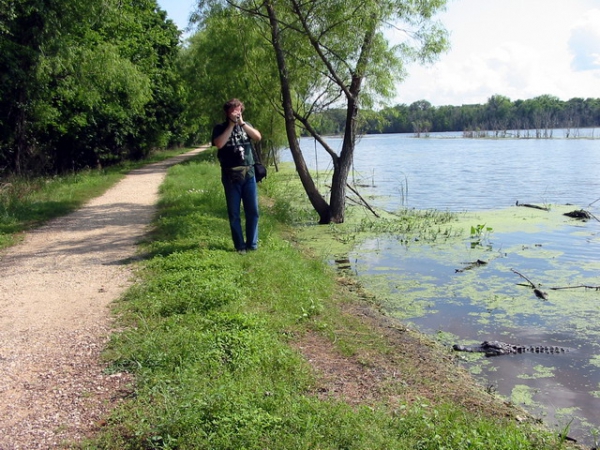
(55, 291)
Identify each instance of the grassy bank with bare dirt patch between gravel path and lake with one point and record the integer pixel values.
(274, 350)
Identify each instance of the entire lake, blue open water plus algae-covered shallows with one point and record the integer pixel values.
(424, 283)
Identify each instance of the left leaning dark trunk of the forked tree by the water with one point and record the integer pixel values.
(316, 199)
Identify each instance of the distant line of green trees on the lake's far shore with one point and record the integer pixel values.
(536, 117)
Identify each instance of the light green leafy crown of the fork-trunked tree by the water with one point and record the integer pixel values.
(335, 48)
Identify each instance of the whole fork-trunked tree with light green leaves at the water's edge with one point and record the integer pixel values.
(336, 52)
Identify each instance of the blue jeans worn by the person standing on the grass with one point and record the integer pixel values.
(245, 193)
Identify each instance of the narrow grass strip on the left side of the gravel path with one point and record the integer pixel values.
(26, 203)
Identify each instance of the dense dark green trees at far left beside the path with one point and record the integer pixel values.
(85, 84)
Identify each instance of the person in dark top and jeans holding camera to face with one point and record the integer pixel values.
(234, 138)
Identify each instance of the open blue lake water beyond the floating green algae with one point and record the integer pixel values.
(446, 172)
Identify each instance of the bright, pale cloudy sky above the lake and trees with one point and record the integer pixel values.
(516, 48)
